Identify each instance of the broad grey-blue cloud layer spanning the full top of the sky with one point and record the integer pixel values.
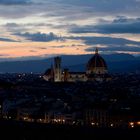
(70, 9)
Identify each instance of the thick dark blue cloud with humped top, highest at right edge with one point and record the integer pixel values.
(119, 25)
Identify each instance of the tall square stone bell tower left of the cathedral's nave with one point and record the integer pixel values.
(57, 69)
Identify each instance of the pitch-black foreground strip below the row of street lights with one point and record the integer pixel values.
(31, 131)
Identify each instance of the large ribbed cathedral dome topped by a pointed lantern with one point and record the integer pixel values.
(96, 65)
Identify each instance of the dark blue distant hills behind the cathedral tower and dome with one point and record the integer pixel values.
(116, 63)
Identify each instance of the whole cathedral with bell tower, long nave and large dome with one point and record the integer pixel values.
(96, 71)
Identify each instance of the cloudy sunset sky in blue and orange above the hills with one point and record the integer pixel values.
(32, 29)
